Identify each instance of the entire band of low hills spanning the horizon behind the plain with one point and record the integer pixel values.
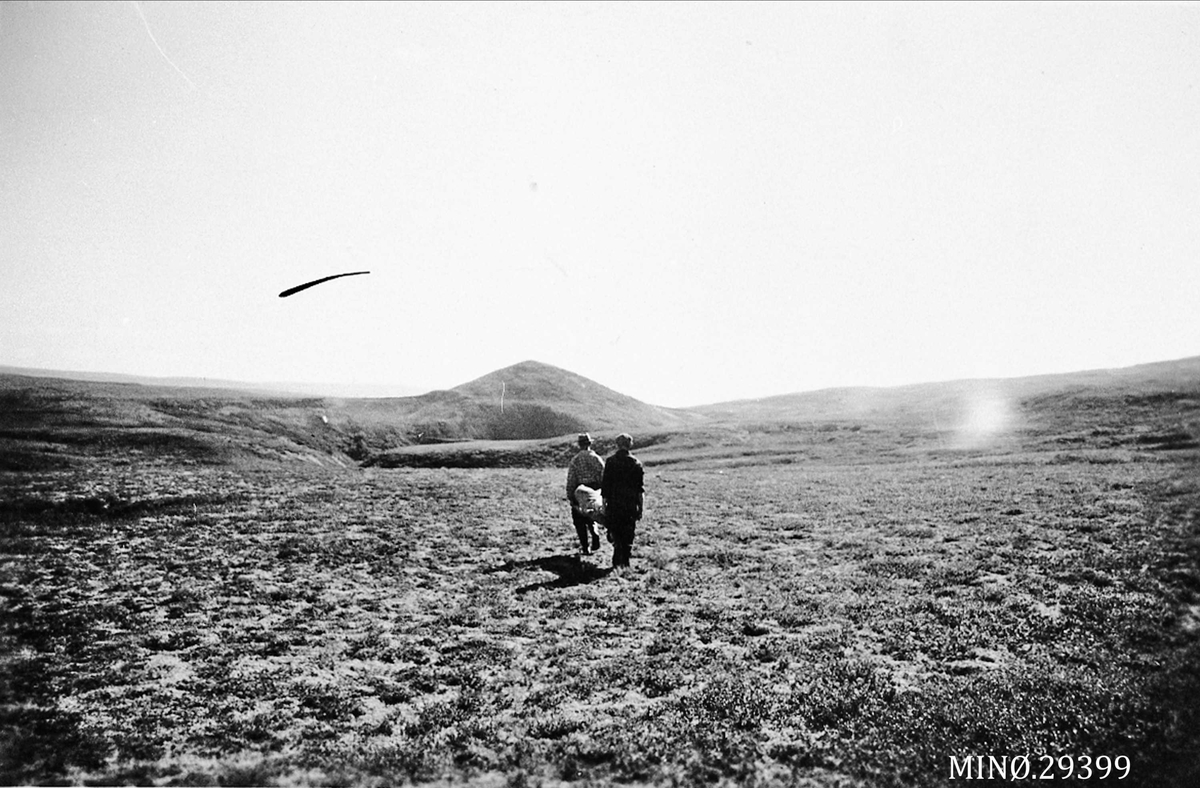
(47, 422)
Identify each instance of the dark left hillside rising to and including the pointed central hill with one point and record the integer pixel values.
(47, 422)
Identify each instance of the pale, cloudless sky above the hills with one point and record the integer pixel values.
(685, 202)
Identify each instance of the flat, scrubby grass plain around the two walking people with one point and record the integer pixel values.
(848, 604)
